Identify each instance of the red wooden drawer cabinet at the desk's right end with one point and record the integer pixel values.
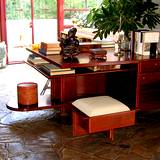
(148, 84)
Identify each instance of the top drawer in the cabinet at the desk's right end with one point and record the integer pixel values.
(149, 66)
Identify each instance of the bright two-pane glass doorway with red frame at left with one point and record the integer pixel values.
(29, 21)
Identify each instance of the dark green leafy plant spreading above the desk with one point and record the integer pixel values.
(122, 15)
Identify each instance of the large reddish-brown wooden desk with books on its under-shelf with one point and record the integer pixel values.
(135, 81)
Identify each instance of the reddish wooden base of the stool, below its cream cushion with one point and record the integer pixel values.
(82, 124)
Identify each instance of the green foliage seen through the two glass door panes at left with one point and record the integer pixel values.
(18, 9)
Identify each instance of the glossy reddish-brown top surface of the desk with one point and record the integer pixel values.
(85, 59)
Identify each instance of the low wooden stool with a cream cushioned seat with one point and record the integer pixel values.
(100, 113)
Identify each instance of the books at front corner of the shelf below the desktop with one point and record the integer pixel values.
(52, 69)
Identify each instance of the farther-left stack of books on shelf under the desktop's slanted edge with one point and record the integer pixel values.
(35, 59)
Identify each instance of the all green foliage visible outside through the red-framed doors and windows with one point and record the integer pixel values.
(43, 9)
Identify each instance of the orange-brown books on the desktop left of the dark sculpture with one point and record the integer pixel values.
(49, 48)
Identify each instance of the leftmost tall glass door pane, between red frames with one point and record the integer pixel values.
(19, 31)
